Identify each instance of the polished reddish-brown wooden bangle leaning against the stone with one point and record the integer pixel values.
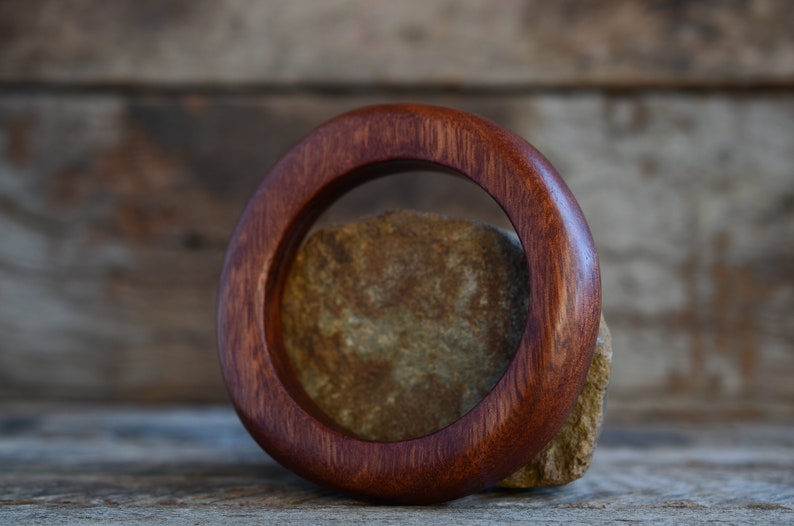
(534, 396)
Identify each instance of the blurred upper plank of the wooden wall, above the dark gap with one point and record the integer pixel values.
(448, 42)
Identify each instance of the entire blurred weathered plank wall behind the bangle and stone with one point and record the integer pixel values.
(132, 133)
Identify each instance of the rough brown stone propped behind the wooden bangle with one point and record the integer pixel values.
(399, 324)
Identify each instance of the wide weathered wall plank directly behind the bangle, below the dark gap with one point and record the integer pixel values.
(115, 211)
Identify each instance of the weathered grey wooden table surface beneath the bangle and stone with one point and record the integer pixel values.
(196, 465)
